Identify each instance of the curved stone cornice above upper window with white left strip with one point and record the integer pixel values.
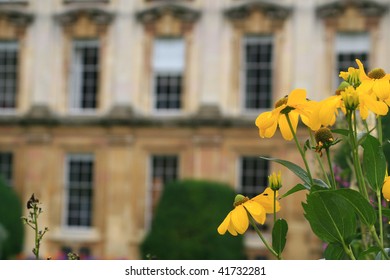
(96, 15)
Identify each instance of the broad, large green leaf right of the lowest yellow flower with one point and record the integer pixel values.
(330, 216)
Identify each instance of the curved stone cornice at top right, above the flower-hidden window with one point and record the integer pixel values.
(365, 8)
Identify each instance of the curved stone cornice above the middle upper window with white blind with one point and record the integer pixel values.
(181, 12)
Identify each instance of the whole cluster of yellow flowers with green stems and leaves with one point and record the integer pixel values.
(359, 95)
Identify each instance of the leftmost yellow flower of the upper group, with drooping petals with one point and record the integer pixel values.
(294, 105)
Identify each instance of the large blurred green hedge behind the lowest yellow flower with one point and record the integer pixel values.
(186, 221)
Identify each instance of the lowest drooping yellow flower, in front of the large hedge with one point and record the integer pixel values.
(237, 221)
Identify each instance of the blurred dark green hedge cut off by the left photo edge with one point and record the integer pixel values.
(11, 226)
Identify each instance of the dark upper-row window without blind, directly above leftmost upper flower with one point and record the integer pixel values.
(257, 72)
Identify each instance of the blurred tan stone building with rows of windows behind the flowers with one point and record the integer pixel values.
(104, 101)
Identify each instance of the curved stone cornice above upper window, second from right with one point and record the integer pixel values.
(271, 10)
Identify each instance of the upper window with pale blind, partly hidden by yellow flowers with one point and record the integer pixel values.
(350, 46)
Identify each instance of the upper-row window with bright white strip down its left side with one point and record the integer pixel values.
(84, 75)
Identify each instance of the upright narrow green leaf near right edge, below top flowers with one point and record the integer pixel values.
(374, 162)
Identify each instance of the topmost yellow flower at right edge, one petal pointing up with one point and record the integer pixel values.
(377, 82)
